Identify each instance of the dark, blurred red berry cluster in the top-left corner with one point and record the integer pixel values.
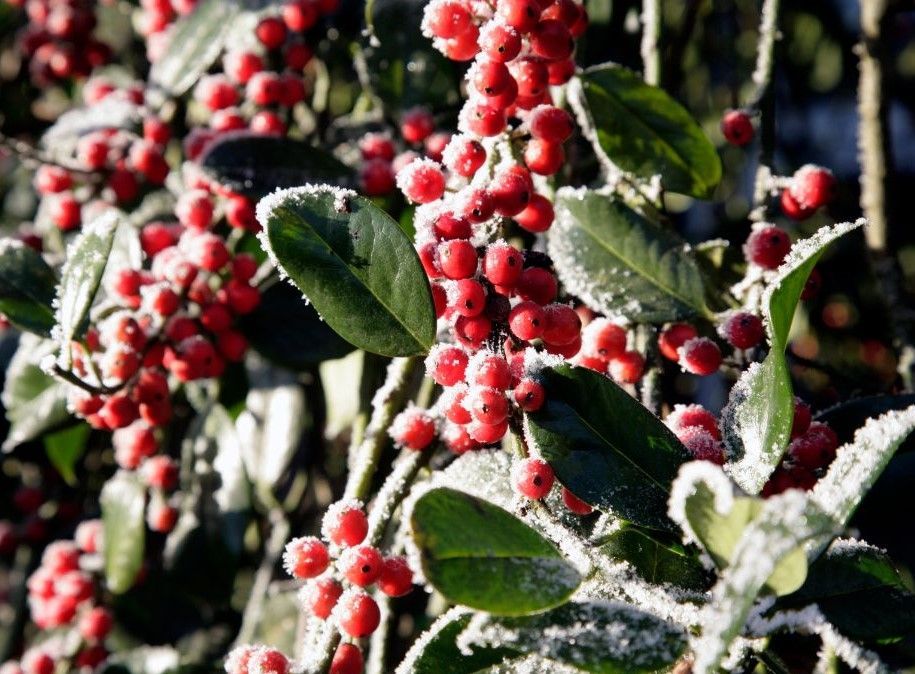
(58, 40)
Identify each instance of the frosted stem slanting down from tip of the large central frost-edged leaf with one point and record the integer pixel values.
(387, 403)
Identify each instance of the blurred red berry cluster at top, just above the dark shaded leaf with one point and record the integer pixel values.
(258, 87)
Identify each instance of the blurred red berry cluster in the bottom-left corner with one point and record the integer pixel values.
(62, 594)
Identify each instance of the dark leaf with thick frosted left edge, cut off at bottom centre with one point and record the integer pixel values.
(436, 650)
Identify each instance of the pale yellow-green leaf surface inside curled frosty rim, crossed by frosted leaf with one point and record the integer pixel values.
(719, 535)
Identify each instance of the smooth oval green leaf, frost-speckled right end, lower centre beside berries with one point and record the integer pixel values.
(478, 555)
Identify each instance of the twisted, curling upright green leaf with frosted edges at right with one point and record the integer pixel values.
(757, 420)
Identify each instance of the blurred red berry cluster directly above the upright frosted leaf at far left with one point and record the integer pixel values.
(120, 165)
